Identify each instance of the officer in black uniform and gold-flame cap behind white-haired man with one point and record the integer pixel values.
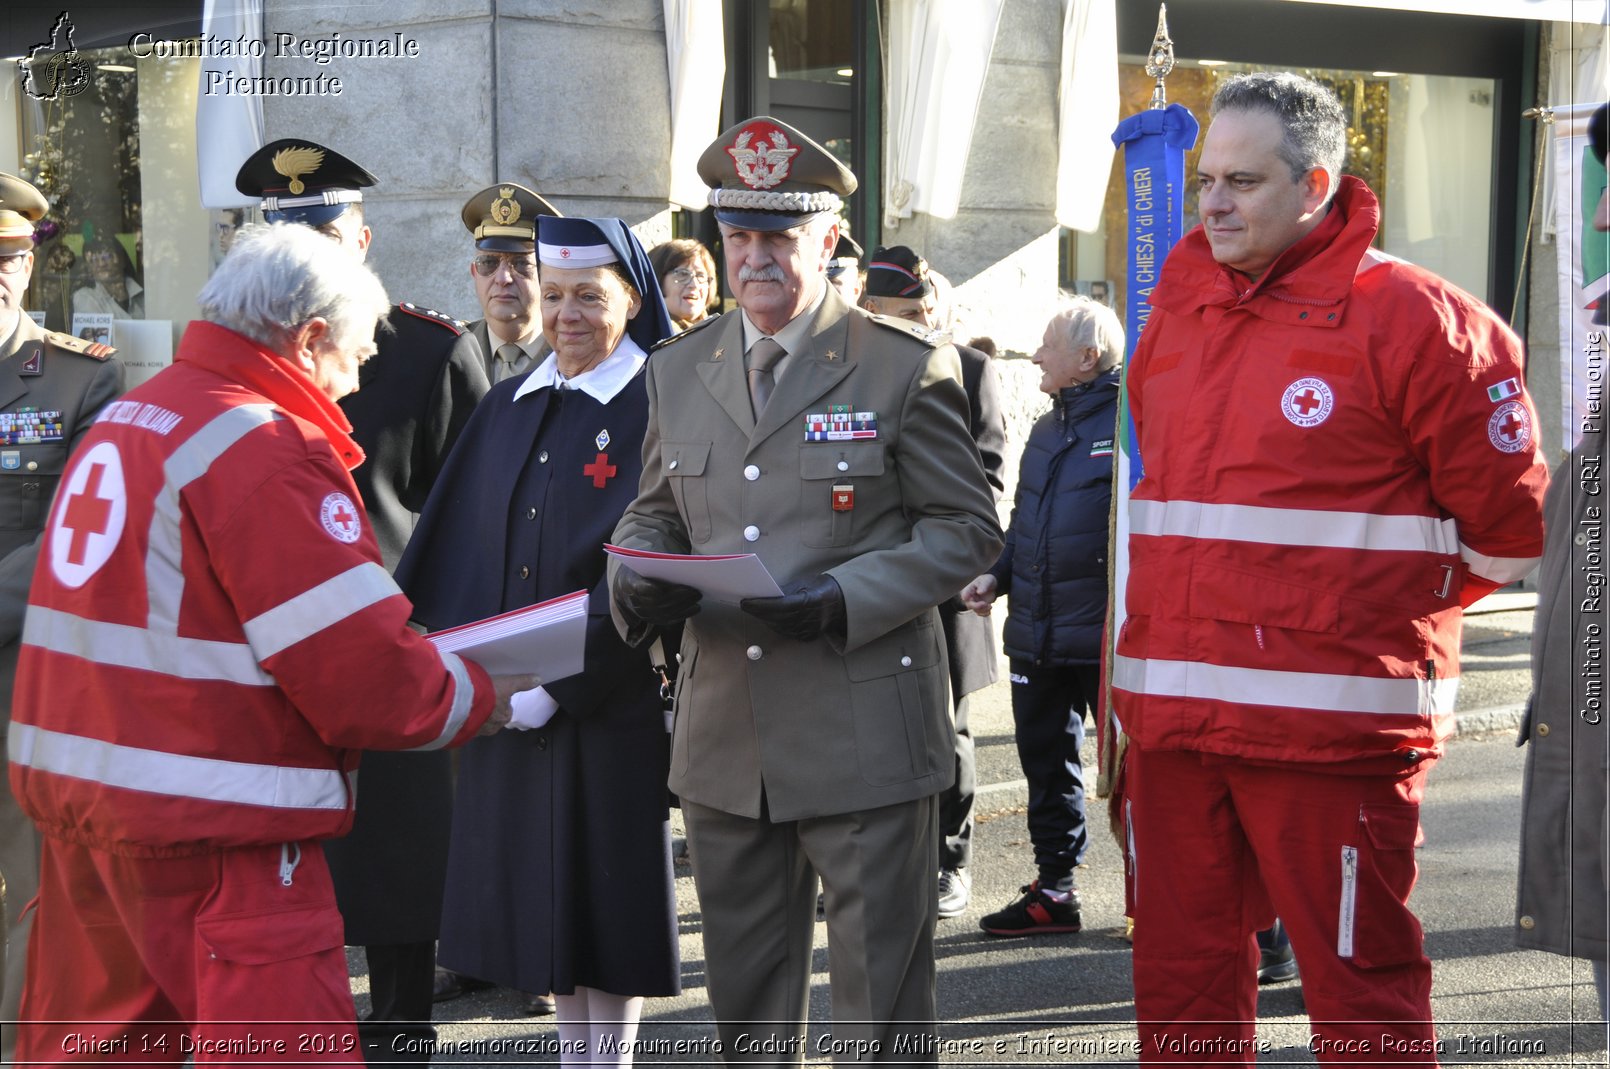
(413, 400)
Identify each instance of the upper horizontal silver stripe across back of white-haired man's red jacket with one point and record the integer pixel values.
(139, 648)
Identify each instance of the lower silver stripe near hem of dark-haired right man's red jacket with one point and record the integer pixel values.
(1292, 690)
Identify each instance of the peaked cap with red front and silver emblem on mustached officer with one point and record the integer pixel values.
(767, 176)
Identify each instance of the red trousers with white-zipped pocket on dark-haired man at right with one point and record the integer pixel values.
(1220, 849)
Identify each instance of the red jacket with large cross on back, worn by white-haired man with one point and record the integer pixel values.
(212, 637)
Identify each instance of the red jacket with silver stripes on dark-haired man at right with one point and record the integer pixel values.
(1337, 458)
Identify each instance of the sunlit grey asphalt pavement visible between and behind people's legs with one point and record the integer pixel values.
(1068, 999)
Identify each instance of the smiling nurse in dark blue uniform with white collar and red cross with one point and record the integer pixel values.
(559, 870)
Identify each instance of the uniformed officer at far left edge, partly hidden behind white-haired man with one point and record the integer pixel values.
(52, 386)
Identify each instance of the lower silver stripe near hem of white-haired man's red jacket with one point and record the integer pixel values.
(178, 775)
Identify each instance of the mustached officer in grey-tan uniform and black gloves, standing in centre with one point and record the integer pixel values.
(812, 730)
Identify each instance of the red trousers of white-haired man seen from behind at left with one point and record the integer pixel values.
(228, 959)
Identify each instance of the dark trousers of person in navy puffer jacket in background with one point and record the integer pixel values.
(1049, 706)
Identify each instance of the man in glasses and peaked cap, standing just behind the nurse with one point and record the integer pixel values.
(503, 270)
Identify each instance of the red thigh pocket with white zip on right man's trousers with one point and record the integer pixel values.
(1376, 927)
